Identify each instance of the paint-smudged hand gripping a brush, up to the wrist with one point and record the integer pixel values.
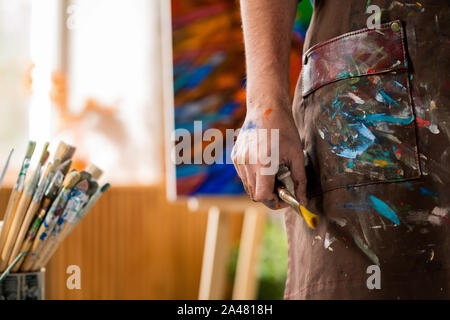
(259, 182)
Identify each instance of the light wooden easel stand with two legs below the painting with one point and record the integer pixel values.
(216, 250)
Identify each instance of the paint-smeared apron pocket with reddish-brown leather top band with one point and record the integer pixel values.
(357, 100)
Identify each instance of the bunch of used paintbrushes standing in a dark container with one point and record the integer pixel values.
(41, 212)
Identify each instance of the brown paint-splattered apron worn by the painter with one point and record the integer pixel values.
(373, 111)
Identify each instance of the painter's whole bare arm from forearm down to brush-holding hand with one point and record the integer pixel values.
(268, 28)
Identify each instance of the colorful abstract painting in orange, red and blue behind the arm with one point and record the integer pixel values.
(209, 83)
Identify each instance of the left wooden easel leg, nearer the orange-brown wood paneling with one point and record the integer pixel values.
(215, 256)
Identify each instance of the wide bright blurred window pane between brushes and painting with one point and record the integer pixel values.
(113, 111)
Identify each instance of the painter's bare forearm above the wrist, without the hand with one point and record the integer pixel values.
(268, 28)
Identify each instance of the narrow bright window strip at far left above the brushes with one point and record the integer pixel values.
(15, 85)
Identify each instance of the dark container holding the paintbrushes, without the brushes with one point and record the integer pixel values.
(23, 286)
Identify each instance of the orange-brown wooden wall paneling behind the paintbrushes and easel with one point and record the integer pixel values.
(133, 245)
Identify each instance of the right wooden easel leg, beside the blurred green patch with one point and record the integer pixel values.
(245, 282)
